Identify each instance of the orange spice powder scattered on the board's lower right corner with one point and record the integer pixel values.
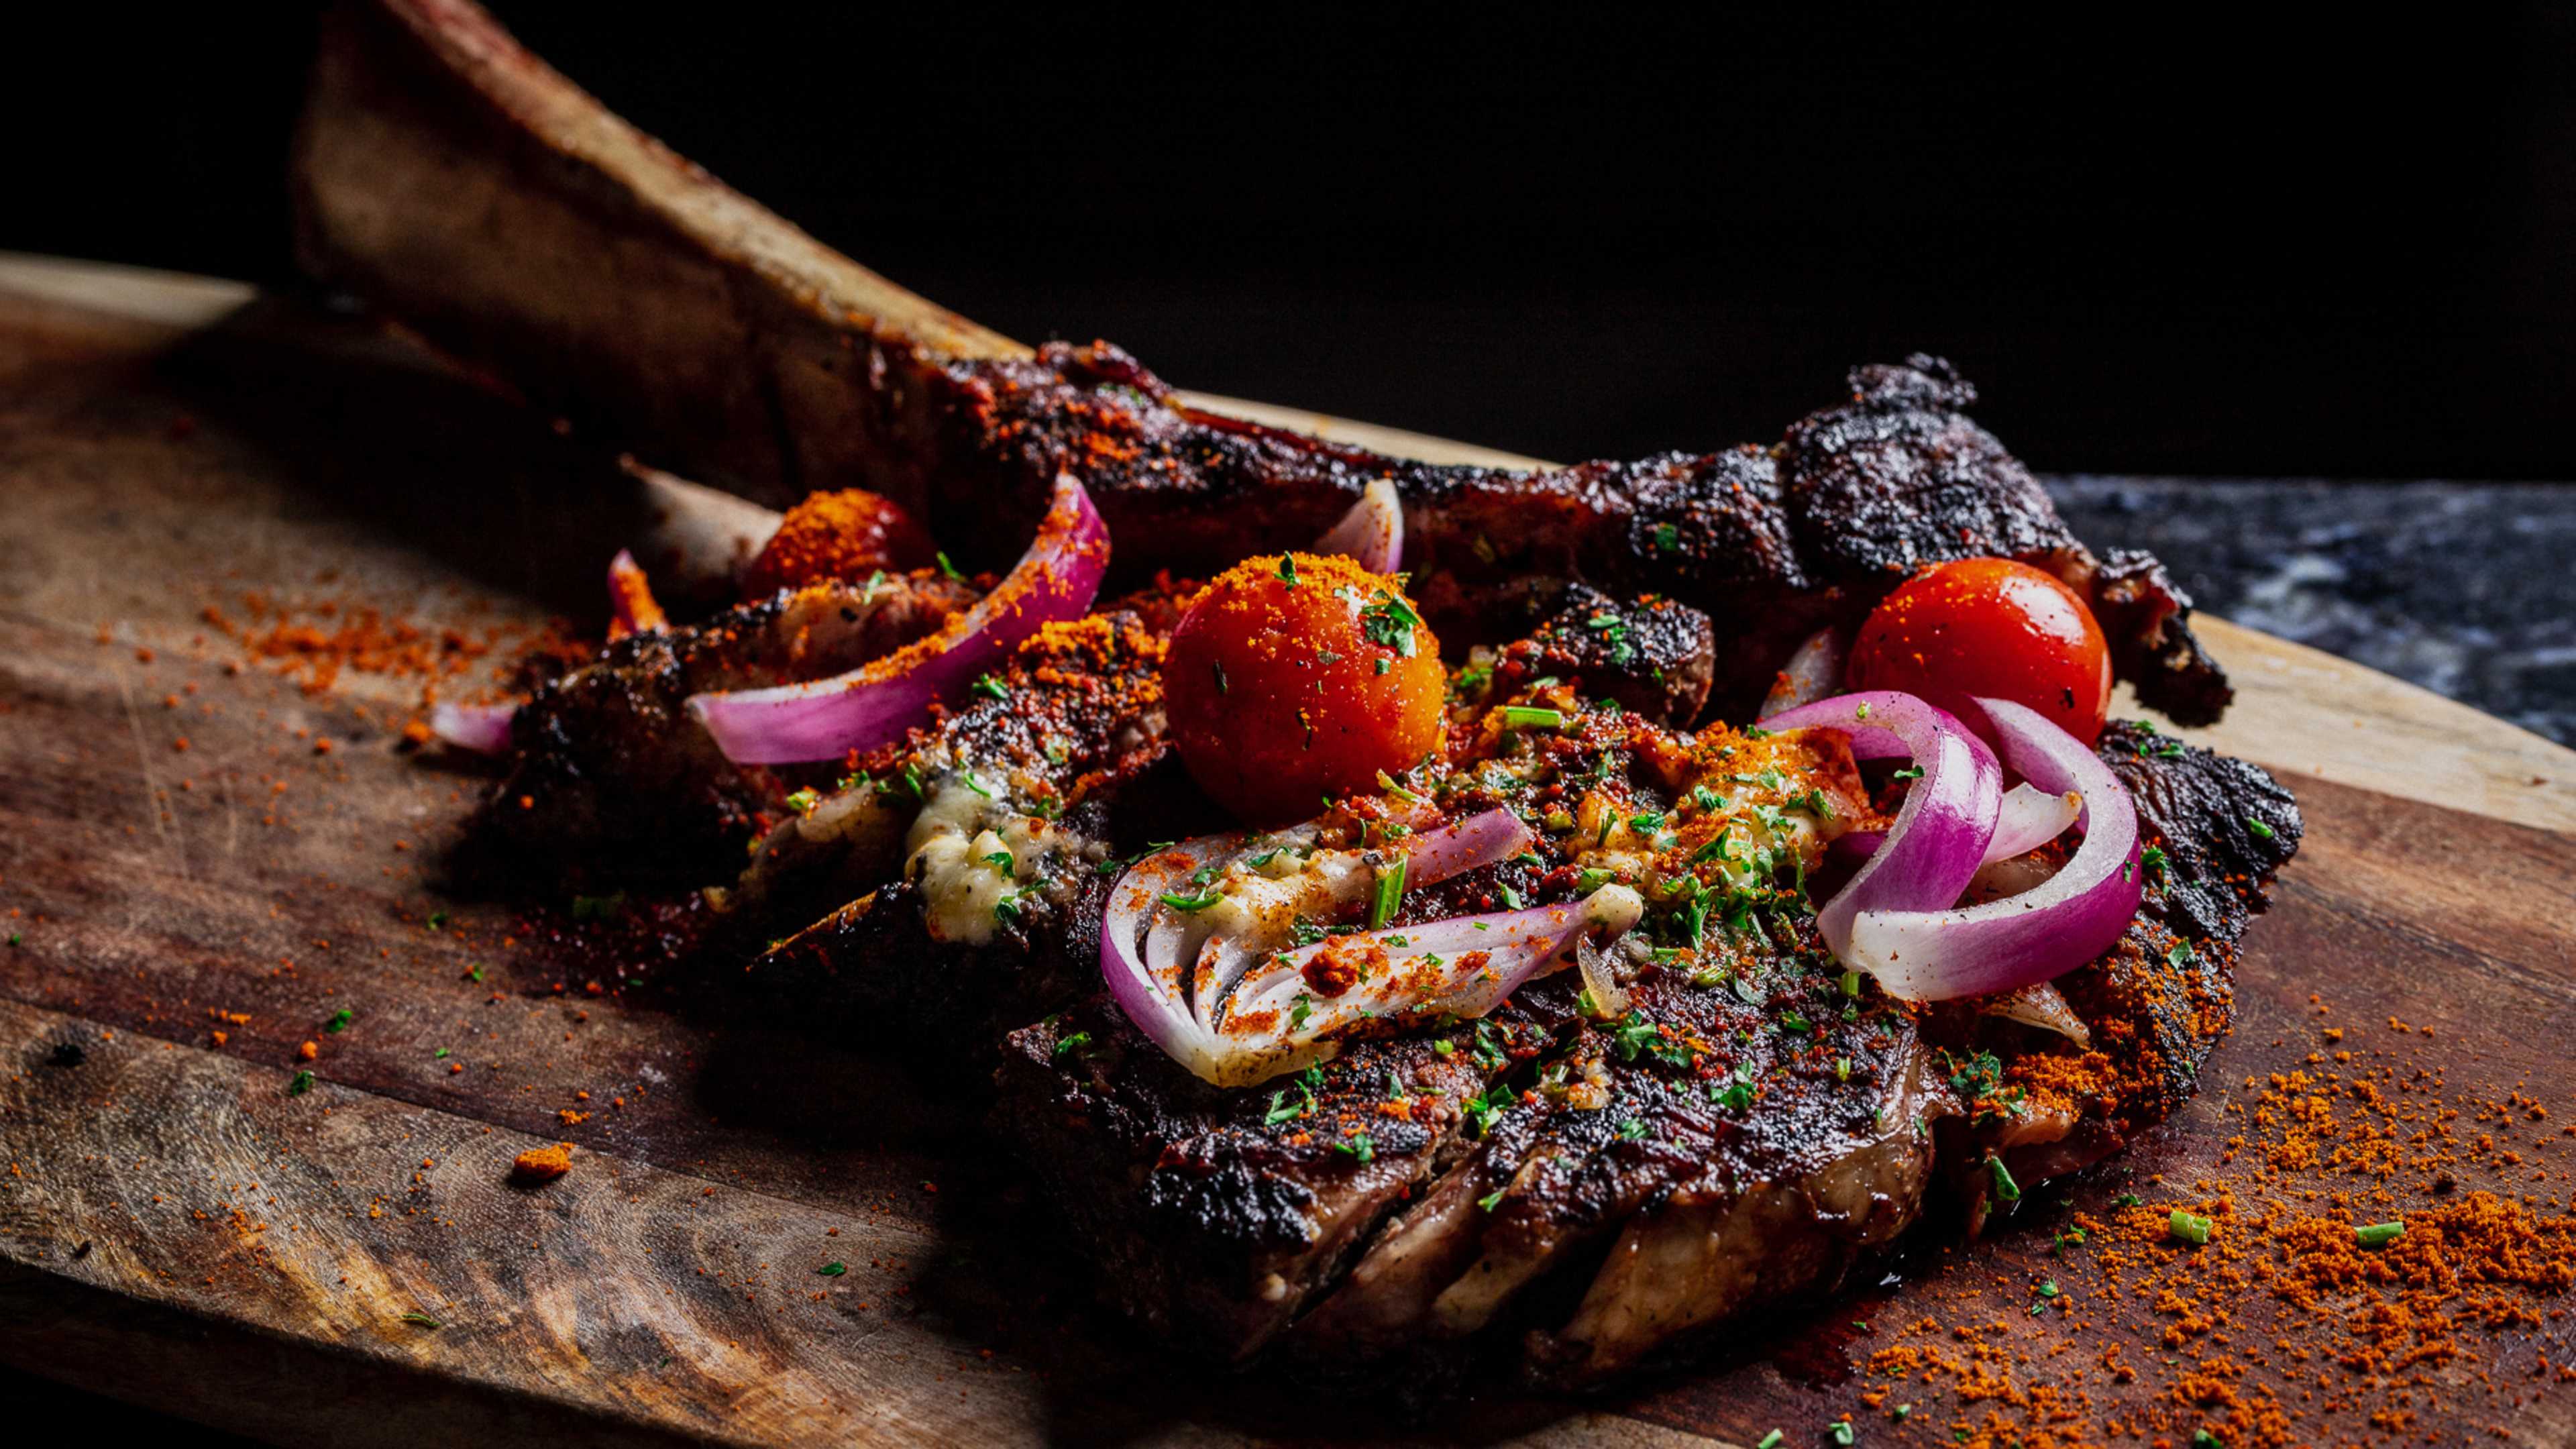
(2363, 1267)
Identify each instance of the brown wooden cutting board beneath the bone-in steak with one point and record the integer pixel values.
(205, 862)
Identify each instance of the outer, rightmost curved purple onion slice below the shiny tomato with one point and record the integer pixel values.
(2070, 919)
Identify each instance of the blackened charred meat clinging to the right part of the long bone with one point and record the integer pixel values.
(1771, 545)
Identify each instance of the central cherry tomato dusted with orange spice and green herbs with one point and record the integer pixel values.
(1300, 677)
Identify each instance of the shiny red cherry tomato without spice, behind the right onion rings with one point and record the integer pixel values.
(1990, 628)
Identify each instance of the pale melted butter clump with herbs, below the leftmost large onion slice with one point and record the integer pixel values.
(952, 855)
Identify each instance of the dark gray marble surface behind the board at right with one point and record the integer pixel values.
(2461, 587)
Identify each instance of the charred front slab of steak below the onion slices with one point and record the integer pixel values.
(1598, 1190)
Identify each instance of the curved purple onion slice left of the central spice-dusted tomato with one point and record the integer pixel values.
(882, 700)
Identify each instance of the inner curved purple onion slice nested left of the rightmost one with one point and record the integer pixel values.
(1941, 831)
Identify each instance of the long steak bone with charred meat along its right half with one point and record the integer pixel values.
(480, 197)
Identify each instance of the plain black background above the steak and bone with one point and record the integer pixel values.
(2163, 244)
